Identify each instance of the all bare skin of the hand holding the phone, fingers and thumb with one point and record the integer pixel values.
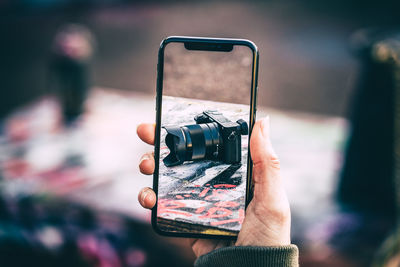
(267, 219)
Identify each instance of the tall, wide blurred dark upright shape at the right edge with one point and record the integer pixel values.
(367, 183)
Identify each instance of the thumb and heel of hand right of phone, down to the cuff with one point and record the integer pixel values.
(267, 220)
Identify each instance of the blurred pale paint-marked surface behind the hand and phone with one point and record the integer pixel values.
(90, 166)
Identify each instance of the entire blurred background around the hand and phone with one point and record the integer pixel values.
(77, 76)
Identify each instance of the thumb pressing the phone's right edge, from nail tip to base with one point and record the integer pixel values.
(266, 165)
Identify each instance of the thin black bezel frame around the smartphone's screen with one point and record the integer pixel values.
(213, 43)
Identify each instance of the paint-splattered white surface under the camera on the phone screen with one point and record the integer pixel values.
(204, 192)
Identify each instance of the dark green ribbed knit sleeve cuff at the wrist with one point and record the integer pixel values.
(285, 256)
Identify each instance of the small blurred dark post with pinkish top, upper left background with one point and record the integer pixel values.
(73, 48)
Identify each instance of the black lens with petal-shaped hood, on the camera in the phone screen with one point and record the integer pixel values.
(192, 142)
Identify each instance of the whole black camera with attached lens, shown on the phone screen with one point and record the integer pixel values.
(213, 137)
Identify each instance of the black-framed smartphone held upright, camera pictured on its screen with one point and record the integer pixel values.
(205, 111)
